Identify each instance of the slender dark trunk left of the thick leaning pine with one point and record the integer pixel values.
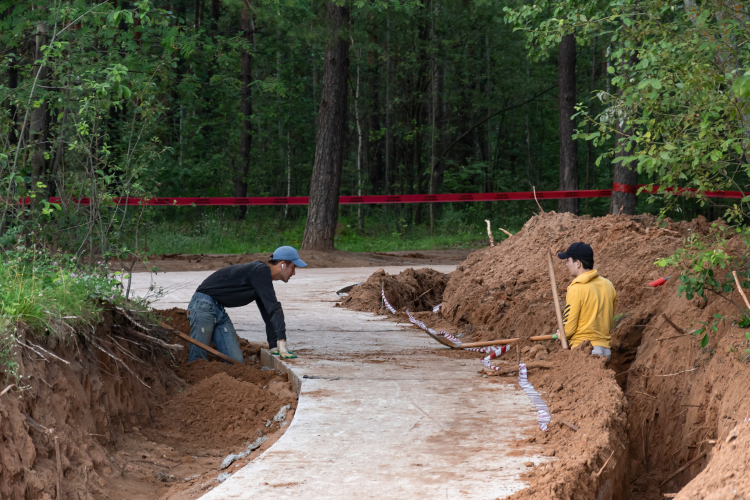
(246, 109)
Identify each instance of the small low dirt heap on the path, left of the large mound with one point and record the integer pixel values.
(416, 290)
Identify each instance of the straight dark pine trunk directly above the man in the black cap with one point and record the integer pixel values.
(566, 80)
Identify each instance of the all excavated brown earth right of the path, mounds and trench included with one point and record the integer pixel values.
(664, 418)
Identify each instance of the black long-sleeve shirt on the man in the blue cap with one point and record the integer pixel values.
(238, 285)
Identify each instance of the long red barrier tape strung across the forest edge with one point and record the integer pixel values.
(397, 198)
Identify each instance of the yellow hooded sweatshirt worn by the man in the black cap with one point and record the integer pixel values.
(589, 311)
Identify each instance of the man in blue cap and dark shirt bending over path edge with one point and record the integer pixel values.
(237, 286)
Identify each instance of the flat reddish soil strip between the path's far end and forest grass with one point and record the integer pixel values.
(338, 258)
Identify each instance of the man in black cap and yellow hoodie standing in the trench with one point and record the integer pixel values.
(590, 302)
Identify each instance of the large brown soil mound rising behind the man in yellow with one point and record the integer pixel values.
(505, 289)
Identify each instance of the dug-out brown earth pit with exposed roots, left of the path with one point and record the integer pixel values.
(106, 415)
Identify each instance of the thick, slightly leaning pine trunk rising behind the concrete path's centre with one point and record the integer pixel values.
(325, 183)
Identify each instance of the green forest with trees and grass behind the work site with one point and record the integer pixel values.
(321, 98)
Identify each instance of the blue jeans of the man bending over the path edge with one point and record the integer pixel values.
(210, 322)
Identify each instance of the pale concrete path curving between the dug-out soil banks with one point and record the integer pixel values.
(382, 414)
